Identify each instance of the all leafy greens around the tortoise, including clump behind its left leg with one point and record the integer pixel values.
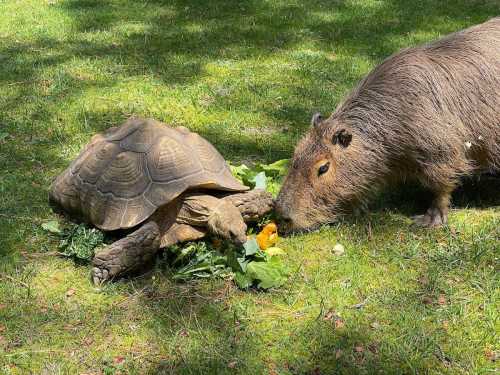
(258, 263)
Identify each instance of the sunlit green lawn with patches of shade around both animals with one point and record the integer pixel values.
(247, 75)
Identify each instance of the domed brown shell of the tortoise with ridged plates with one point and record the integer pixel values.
(125, 174)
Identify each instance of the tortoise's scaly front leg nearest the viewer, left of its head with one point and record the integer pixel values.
(127, 254)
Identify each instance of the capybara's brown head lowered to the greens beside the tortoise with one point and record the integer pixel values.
(328, 172)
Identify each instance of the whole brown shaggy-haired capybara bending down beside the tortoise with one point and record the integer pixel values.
(429, 113)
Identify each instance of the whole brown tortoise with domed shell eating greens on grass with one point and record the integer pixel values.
(163, 185)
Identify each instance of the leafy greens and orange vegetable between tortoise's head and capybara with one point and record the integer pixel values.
(259, 263)
